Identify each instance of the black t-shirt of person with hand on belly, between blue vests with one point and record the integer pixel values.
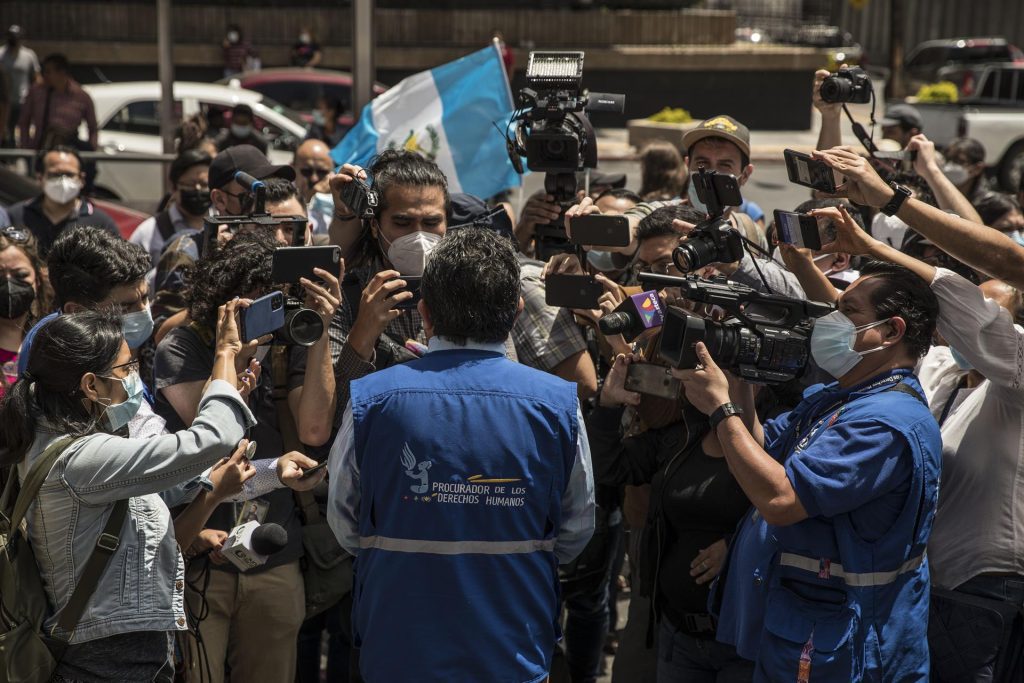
(701, 504)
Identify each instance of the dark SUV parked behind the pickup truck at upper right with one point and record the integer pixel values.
(957, 60)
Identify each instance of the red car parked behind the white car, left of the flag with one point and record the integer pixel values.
(298, 90)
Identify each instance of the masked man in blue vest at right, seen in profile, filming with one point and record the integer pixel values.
(827, 578)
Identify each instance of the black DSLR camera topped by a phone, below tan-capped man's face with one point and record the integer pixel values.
(714, 241)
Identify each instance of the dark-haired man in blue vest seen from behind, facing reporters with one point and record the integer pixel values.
(460, 482)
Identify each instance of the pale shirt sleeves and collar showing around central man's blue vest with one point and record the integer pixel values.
(344, 497)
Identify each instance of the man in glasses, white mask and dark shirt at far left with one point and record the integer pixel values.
(59, 206)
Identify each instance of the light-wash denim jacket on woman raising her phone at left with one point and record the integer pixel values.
(143, 588)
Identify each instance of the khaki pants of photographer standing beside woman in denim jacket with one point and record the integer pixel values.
(253, 625)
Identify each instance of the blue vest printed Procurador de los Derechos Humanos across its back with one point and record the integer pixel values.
(463, 458)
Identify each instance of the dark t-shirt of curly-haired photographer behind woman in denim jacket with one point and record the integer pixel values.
(183, 358)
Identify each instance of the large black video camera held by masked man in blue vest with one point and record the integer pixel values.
(767, 341)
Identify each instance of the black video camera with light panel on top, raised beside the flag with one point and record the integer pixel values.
(552, 132)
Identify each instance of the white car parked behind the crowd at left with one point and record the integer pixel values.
(130, 121)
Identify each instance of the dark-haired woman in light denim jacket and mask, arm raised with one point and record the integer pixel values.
(82, 383)
